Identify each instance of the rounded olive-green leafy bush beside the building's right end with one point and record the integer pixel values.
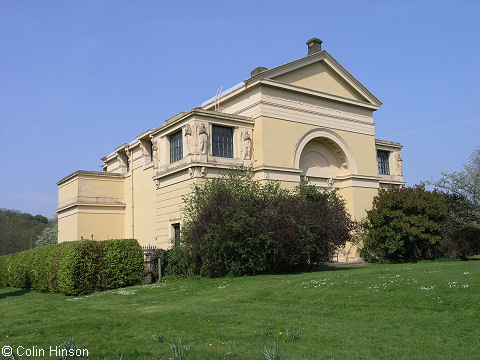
(404, 225)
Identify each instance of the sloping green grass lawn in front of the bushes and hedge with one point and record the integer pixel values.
(408, 311)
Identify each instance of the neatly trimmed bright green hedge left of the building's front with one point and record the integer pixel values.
(75, 268)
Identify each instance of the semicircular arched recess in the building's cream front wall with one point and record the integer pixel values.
(323, 153)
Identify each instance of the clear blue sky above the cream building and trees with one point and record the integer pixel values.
(79, 78)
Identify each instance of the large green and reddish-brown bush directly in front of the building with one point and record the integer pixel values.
(237, 226)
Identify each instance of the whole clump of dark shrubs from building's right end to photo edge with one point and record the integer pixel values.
(412, 224)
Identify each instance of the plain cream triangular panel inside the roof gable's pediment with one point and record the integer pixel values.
(320, 77)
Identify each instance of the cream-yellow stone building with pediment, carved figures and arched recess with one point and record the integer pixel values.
(309, 118)
